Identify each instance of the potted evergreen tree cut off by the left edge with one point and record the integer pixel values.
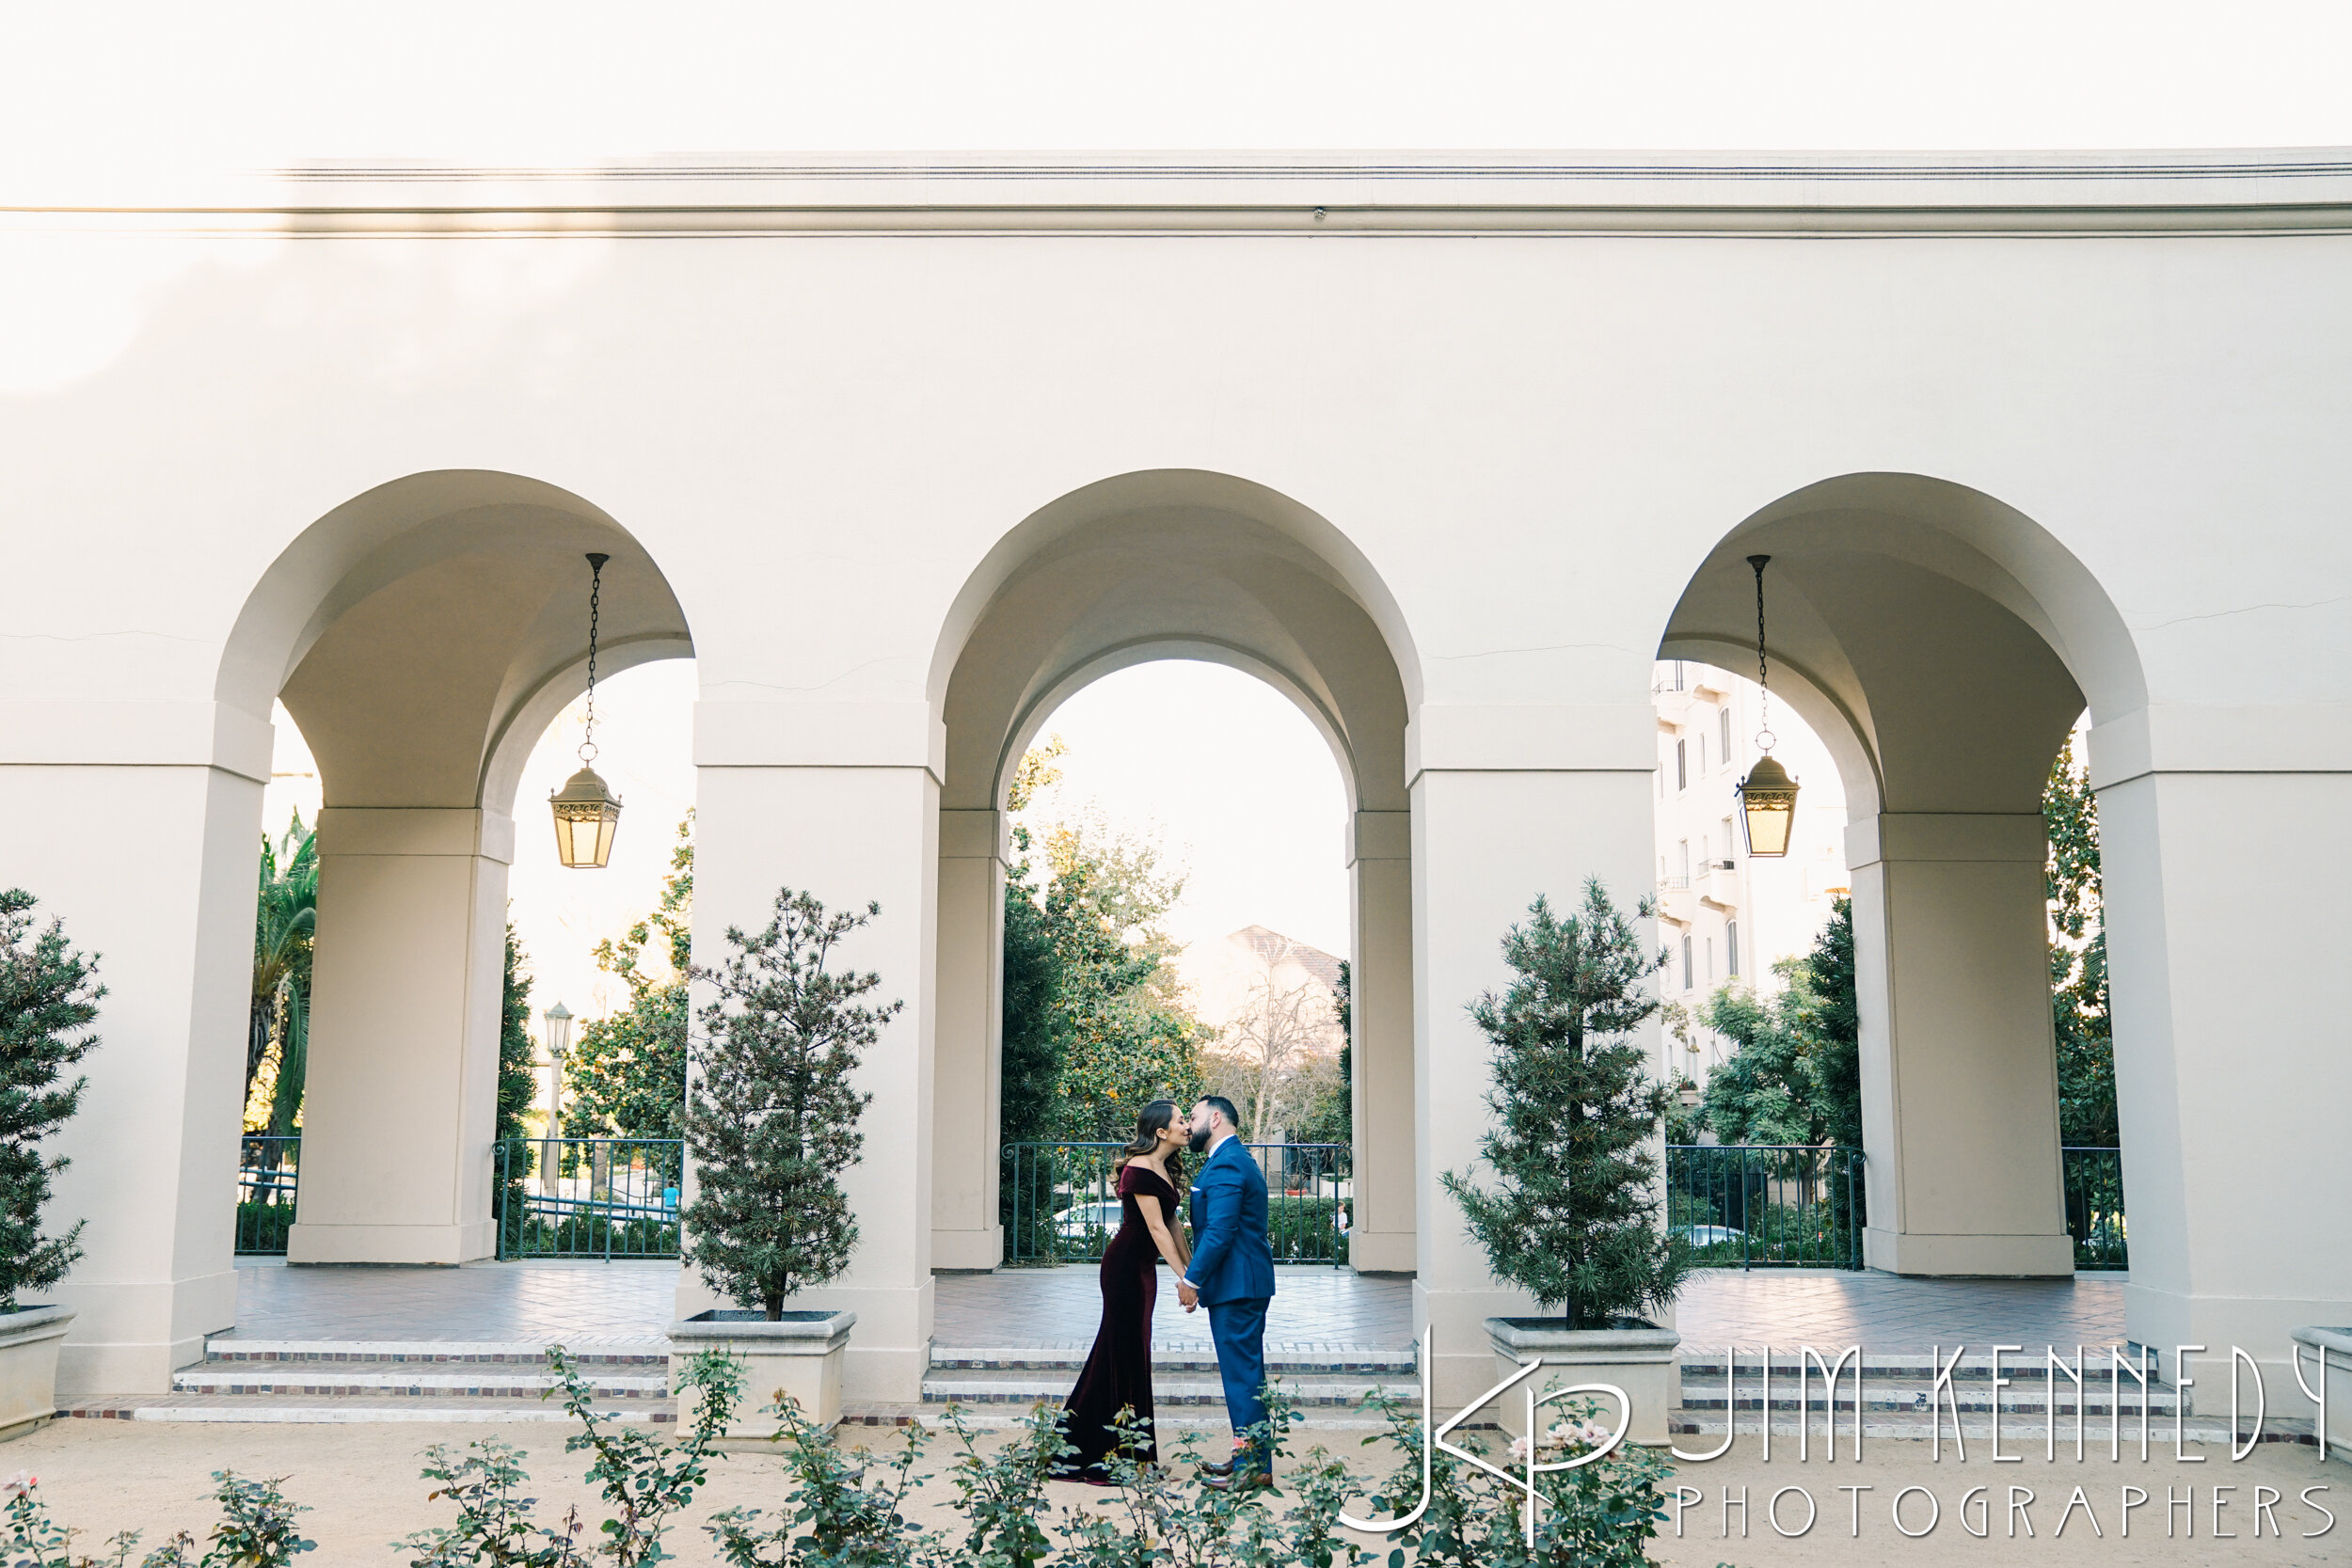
(48, 1003)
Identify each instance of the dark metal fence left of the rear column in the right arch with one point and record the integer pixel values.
(1768, 1205)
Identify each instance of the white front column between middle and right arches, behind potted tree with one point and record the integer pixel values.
(1509, 803)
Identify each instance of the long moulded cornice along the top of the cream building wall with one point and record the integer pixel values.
(1629, 194)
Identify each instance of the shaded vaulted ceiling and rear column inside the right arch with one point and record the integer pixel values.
(1944, 648)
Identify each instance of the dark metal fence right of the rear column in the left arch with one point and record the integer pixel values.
(587, 1198)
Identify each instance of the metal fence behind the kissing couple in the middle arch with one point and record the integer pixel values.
(1062, 1200)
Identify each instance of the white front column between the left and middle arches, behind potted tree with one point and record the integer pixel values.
(841, 800)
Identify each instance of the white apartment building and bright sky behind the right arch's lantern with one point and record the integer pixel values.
(1723, 916)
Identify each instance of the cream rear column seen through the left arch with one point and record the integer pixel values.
(403, 1087)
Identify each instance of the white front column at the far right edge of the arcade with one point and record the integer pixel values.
(2231, 1066)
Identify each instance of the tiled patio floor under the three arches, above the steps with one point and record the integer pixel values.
(1060, 1308)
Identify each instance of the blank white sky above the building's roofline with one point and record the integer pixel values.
(161, 83)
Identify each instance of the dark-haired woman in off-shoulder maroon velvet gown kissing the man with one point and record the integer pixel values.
(1121, 1369)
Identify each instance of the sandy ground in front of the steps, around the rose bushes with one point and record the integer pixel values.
(361, 1485)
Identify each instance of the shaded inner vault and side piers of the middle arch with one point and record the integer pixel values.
(1135, 570)
